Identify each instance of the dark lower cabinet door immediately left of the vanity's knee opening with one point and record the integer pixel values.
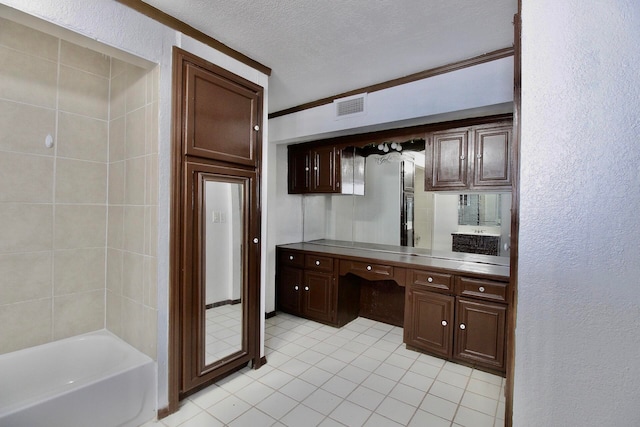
(316, 296)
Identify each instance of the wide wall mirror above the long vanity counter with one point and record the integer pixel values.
(396, 211)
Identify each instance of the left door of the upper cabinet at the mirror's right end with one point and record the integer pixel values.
(448, 160)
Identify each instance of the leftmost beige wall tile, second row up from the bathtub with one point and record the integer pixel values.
(25, 276)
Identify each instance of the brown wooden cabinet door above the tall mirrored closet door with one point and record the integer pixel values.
(224, 114)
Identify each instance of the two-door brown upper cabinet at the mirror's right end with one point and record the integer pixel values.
(470, 158)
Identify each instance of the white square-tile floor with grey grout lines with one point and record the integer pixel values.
(358, 375)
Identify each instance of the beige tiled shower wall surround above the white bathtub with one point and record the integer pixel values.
(56, 203)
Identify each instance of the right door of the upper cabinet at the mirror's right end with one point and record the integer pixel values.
(492, 156)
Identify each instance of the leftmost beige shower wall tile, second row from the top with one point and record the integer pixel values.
(27, 78)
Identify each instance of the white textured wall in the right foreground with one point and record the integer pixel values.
(578, 320)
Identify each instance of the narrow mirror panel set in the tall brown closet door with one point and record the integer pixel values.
(223, 269)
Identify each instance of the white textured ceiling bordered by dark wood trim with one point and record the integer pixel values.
(320, 48)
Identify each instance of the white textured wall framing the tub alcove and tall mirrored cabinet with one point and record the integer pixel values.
(118, 28)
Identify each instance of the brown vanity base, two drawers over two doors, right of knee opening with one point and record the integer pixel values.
(465, 323)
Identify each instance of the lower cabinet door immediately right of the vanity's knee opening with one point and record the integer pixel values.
(428, 321)
